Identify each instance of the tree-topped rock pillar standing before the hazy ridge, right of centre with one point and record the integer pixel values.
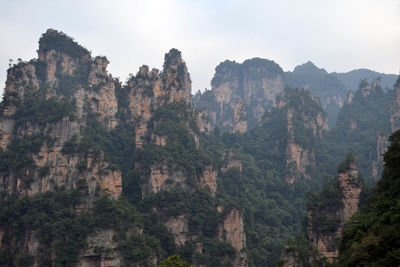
(301, 117)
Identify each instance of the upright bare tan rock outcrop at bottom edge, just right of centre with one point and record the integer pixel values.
(232, 231)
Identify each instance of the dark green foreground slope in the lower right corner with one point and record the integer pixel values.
(371, 238)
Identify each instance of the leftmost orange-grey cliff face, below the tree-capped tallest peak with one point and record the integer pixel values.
(55, 79)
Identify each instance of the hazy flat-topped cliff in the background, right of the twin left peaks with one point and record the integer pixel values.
(241, 93)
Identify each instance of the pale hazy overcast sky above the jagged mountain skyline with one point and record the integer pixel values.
(337, 35)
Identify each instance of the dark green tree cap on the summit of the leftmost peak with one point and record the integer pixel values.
(60, 42)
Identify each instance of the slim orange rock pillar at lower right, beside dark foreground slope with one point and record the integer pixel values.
(350, 186)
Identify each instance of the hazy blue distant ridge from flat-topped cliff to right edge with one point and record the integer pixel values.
(241, 92)
